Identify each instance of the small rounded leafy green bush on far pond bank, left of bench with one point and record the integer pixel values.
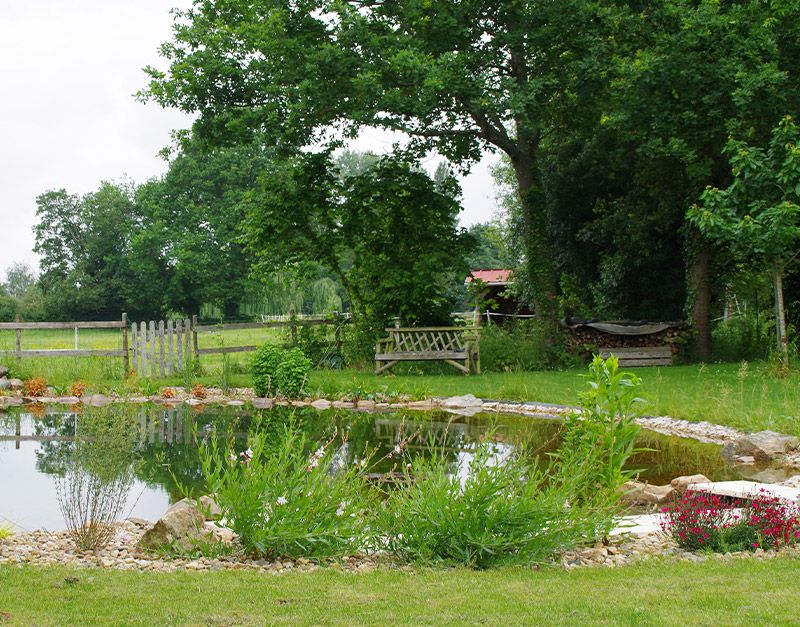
(278, 371)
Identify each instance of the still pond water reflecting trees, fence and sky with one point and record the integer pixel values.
(35, 447)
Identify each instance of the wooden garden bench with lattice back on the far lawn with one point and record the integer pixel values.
(458, 346)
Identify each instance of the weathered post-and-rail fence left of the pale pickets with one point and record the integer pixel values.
(20, 327)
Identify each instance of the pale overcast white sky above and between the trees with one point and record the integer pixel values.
(68, 118)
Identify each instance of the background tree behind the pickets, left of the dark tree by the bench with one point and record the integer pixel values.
(191, 224)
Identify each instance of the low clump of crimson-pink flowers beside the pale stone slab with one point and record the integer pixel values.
(699, 521)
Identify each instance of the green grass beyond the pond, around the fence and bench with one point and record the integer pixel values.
(750, 398)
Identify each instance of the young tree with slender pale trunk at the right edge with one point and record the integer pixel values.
(758, 214)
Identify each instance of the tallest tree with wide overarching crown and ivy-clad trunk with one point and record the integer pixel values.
(455, 77)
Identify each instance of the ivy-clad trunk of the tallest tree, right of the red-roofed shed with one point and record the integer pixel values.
(538, 256)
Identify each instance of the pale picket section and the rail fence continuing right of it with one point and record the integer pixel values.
(163, 348)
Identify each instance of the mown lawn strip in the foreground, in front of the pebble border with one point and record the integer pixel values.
(740, 592)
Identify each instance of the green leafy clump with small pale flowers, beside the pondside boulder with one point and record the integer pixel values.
(283, 501)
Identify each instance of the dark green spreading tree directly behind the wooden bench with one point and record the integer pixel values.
(388, 234)
